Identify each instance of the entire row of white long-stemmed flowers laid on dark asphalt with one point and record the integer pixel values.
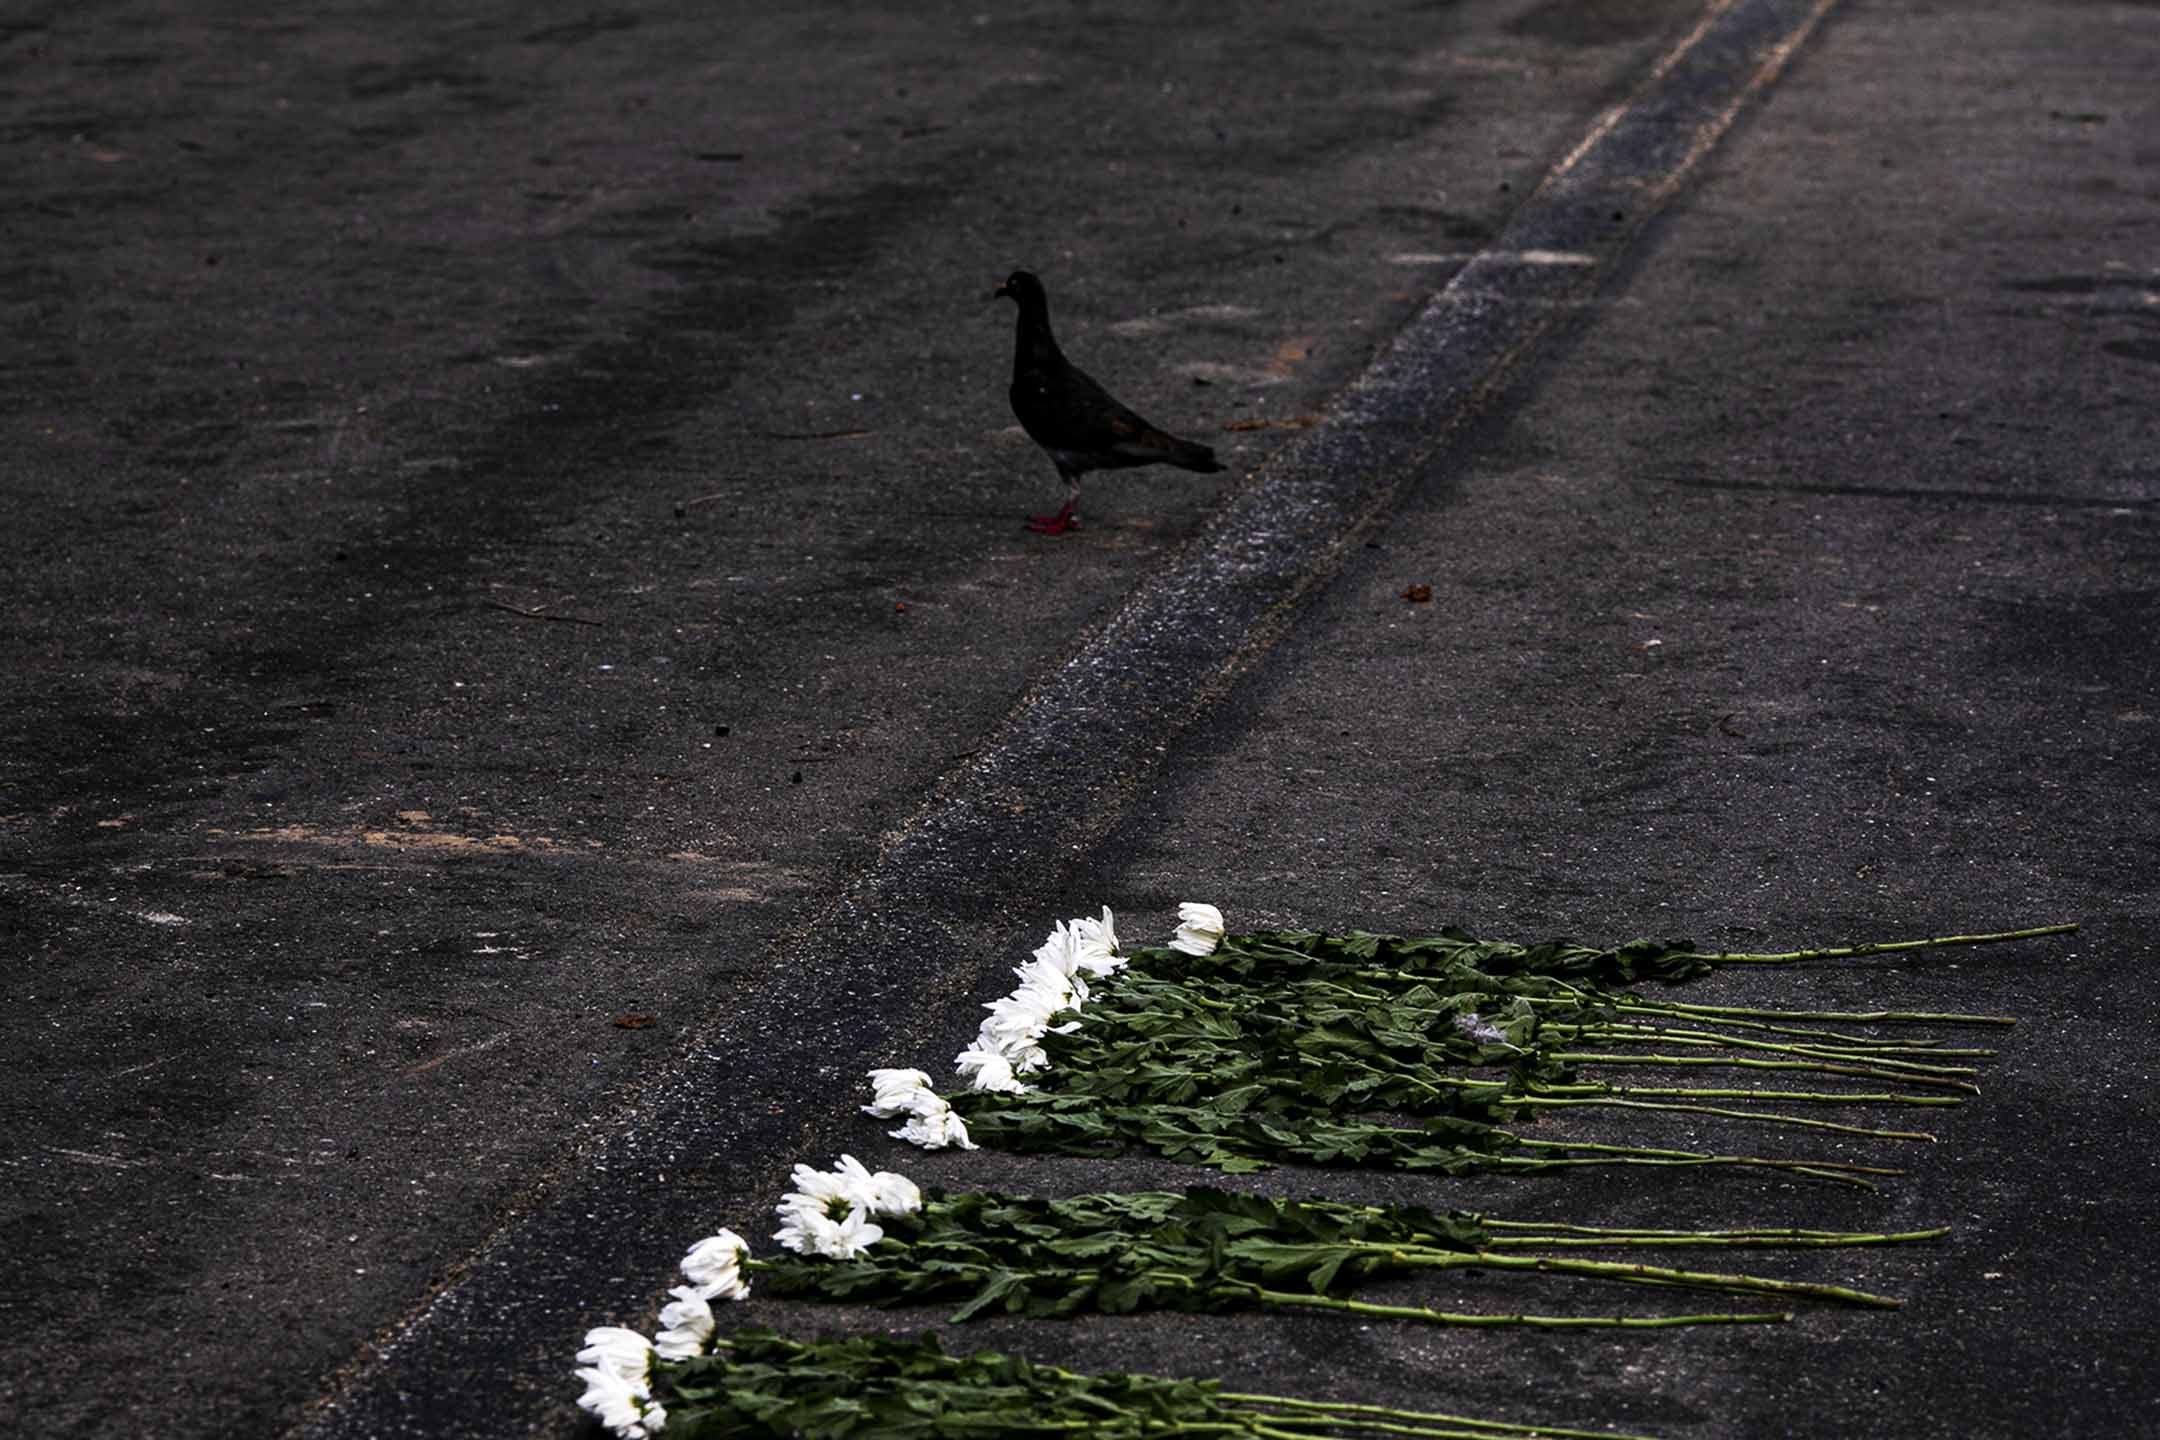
(1241, 1052)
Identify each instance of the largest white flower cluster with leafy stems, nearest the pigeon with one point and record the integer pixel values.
(1250, 1050)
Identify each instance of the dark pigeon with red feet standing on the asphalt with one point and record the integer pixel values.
(1077, 420)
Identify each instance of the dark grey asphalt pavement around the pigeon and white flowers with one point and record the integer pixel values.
(528, 675)
